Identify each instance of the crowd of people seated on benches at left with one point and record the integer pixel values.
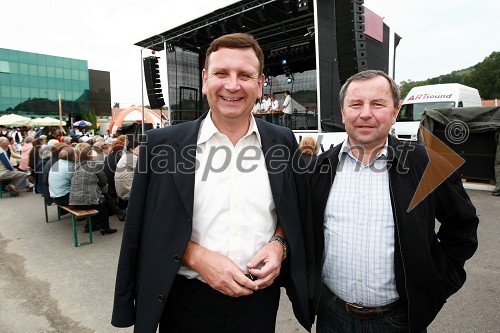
(81, 171)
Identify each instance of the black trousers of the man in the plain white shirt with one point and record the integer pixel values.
(193, 306)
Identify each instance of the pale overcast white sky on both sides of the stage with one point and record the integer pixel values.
(438, 36)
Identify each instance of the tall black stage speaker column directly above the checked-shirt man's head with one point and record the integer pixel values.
(351, 40)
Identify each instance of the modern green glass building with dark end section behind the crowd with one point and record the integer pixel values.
(31, 85)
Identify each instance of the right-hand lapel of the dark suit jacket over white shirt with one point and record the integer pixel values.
(274, 172)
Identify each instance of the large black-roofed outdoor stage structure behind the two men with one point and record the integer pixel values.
(310, 47)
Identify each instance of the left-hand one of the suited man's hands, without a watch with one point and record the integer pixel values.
(220, 272)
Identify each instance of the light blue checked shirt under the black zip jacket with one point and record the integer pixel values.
(358, 264)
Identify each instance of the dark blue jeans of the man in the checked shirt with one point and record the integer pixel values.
(333, 318)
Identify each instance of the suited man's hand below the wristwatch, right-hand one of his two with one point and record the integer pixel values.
(266, 264)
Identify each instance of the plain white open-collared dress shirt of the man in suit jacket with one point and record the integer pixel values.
(234, 212)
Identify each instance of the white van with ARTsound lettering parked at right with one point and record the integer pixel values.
(447, 95)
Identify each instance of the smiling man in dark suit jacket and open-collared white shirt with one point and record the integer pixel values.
(173, 269)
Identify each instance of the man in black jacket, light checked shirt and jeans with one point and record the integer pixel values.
(380, 266)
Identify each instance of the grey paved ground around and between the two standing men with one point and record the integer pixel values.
(47, 285)
